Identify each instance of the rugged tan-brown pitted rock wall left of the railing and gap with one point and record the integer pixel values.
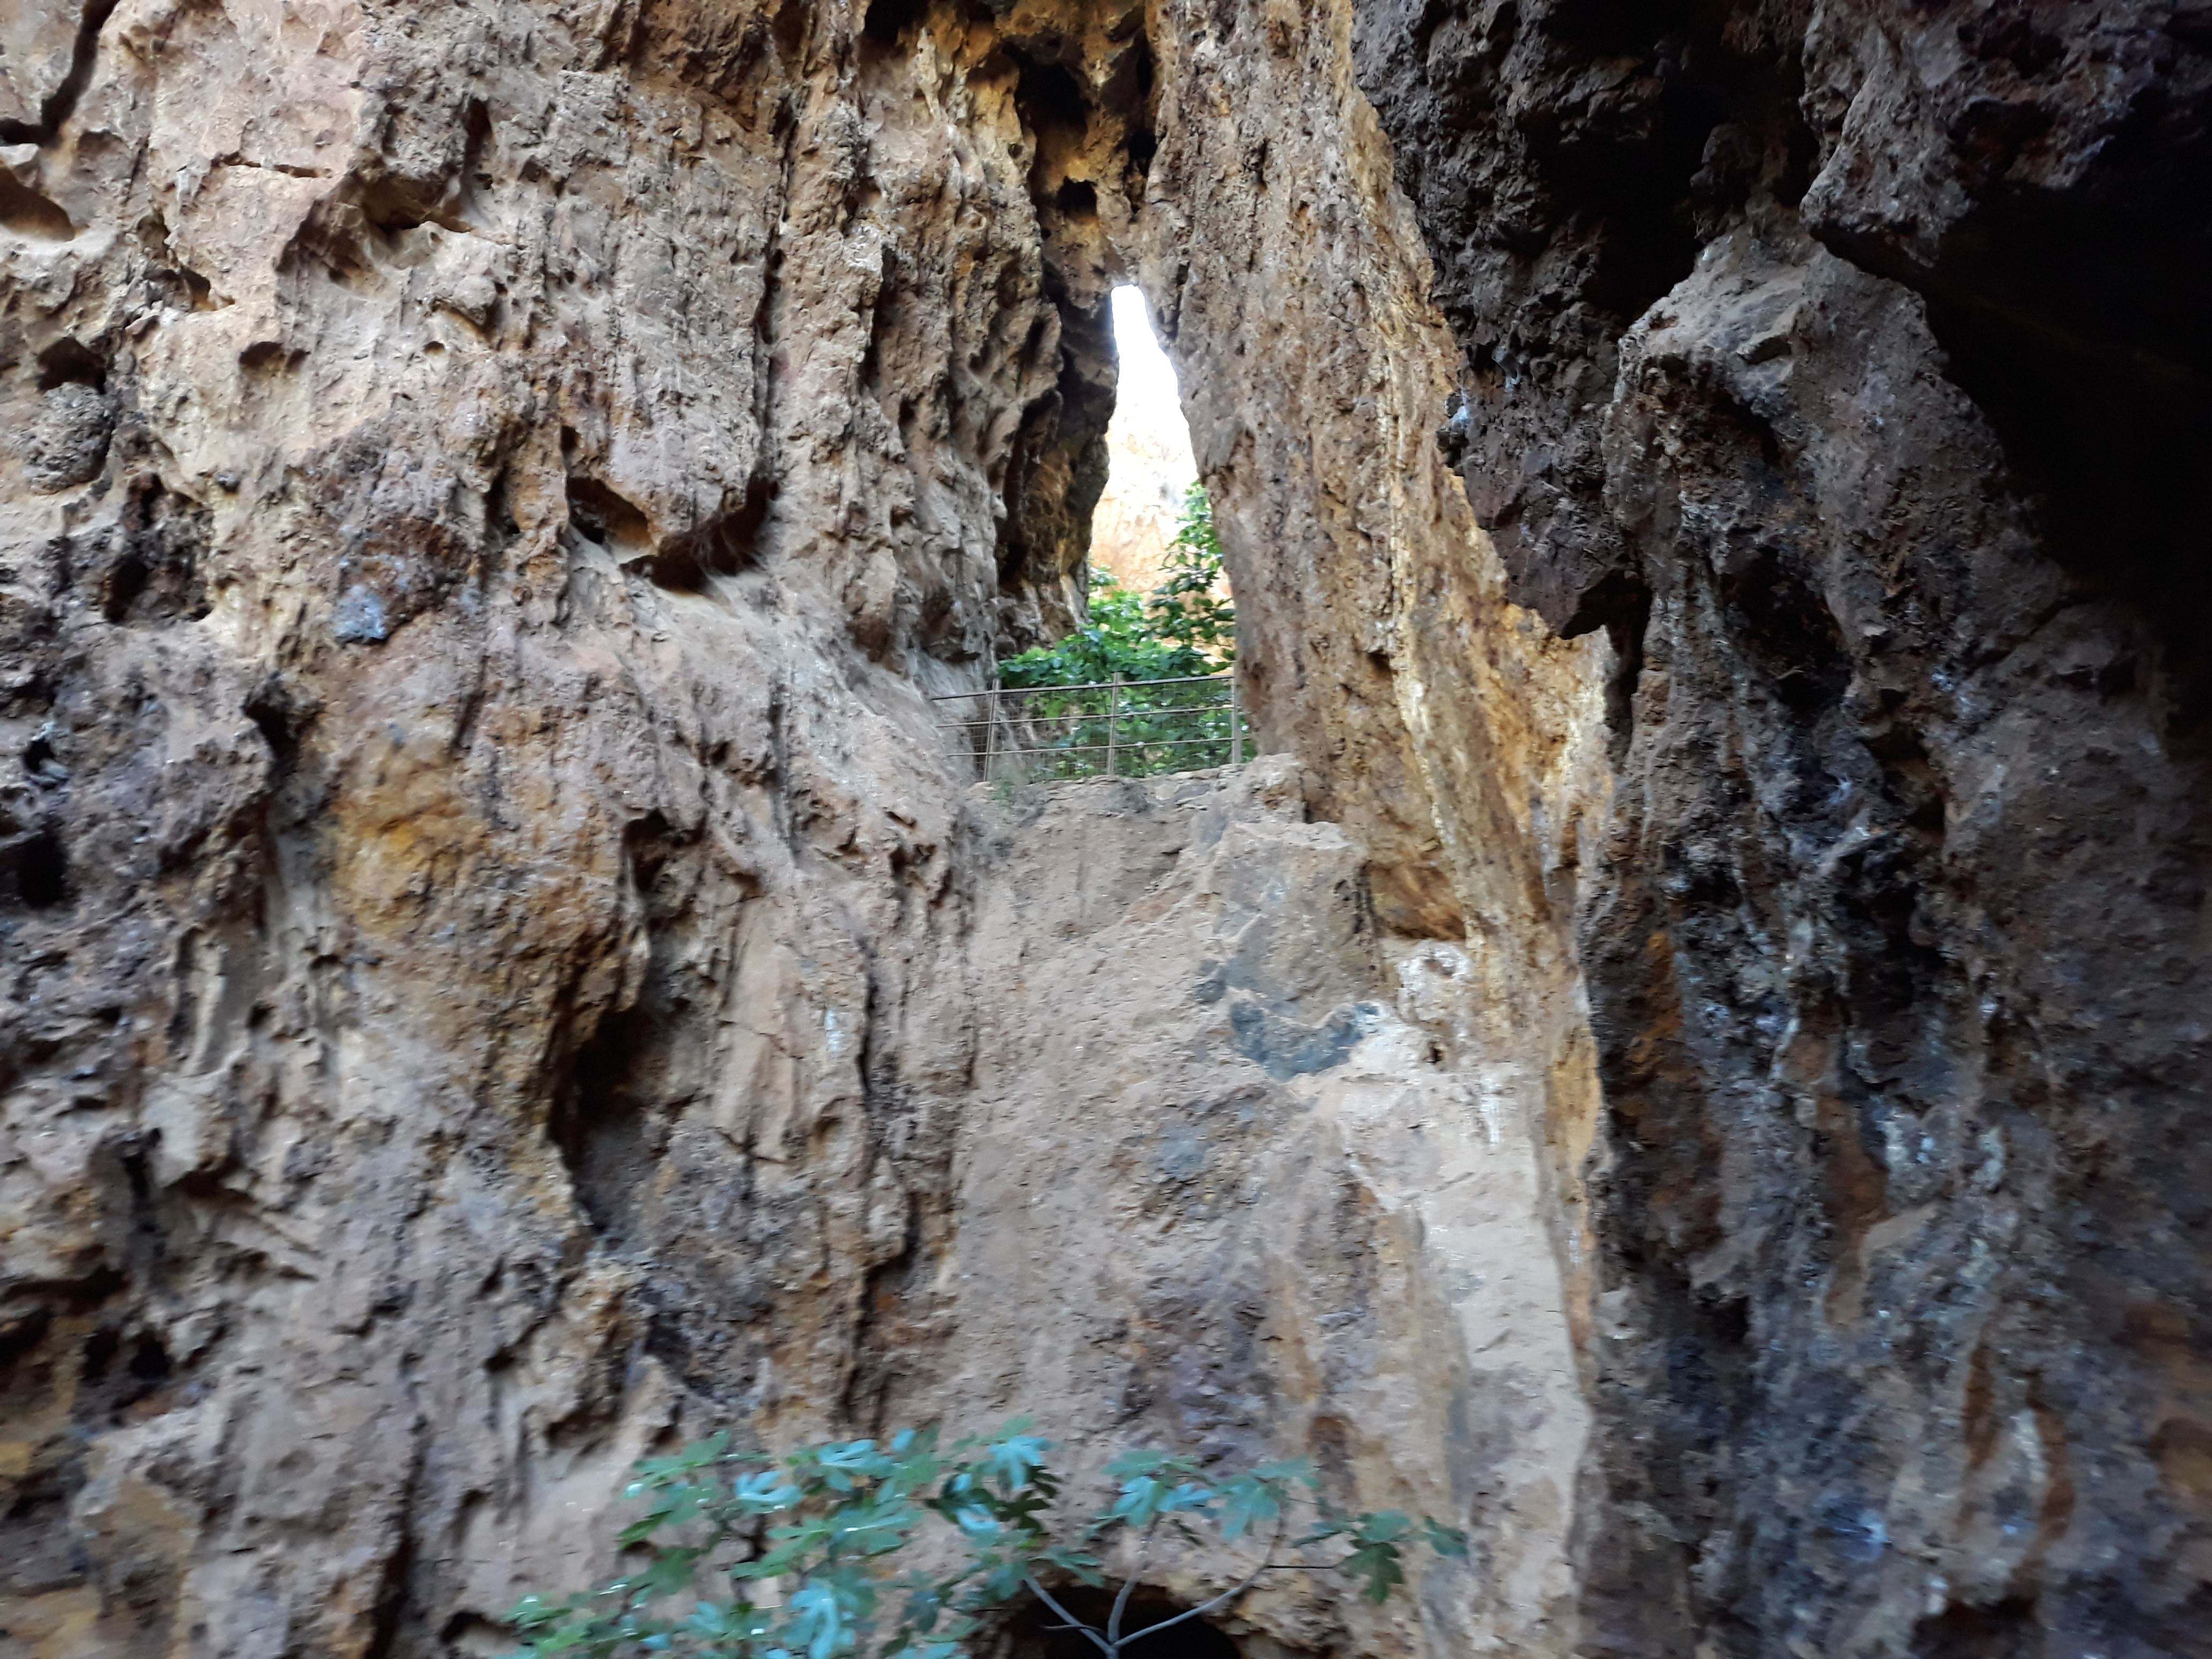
(488, 492)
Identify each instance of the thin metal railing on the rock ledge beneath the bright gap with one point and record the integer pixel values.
(1120, 729)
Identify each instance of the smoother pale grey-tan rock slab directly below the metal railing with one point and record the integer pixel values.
(1317, 1209)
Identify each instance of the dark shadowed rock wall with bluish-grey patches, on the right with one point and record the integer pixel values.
(1846, 364)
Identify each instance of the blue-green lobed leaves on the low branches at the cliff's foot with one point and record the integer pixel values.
(797, 1558)
